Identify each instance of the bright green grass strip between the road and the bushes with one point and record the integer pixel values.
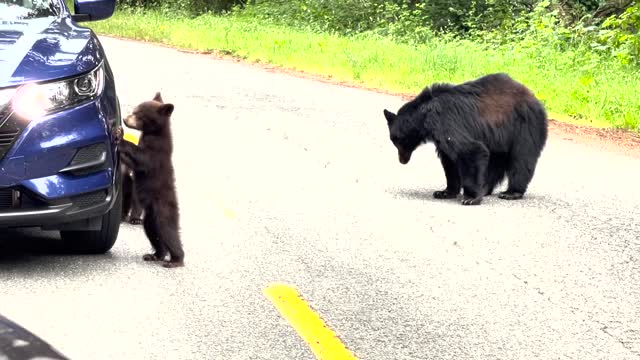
(601, 96)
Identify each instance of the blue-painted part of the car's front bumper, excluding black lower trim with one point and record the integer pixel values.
(43, 157)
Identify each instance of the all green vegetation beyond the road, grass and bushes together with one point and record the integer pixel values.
(582, 55)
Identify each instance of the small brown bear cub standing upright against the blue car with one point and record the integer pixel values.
(154, 176)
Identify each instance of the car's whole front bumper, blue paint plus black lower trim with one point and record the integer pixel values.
(61, 168)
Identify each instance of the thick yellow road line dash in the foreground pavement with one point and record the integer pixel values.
(323, 342)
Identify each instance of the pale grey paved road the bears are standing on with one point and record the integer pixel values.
(283, 179)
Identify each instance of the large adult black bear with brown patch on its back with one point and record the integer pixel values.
(482, 129)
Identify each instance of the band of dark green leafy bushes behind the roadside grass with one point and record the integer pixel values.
(571, 26)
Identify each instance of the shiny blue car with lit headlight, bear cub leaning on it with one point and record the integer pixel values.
(59, 123)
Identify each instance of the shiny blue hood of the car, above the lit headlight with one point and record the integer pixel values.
(45, 49)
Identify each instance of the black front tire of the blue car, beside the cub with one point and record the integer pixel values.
(100, 241)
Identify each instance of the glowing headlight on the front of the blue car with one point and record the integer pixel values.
(34, 100)
